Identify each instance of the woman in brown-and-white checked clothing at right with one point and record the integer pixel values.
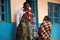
(45, 29)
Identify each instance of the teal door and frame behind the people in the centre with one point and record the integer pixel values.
(33, 4)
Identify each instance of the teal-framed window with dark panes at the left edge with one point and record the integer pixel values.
(5, 13)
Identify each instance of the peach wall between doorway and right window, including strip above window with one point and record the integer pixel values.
(43, 8)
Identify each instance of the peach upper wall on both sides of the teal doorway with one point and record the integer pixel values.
(42, 8)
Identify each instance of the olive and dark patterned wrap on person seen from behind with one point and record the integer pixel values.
(24, 30)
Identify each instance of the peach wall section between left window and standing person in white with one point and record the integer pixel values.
(15, 6)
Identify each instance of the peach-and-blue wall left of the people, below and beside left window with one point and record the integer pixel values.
(8, 30)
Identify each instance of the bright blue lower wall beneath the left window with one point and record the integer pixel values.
(7, 31)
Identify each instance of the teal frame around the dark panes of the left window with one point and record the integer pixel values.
(7, 11)
